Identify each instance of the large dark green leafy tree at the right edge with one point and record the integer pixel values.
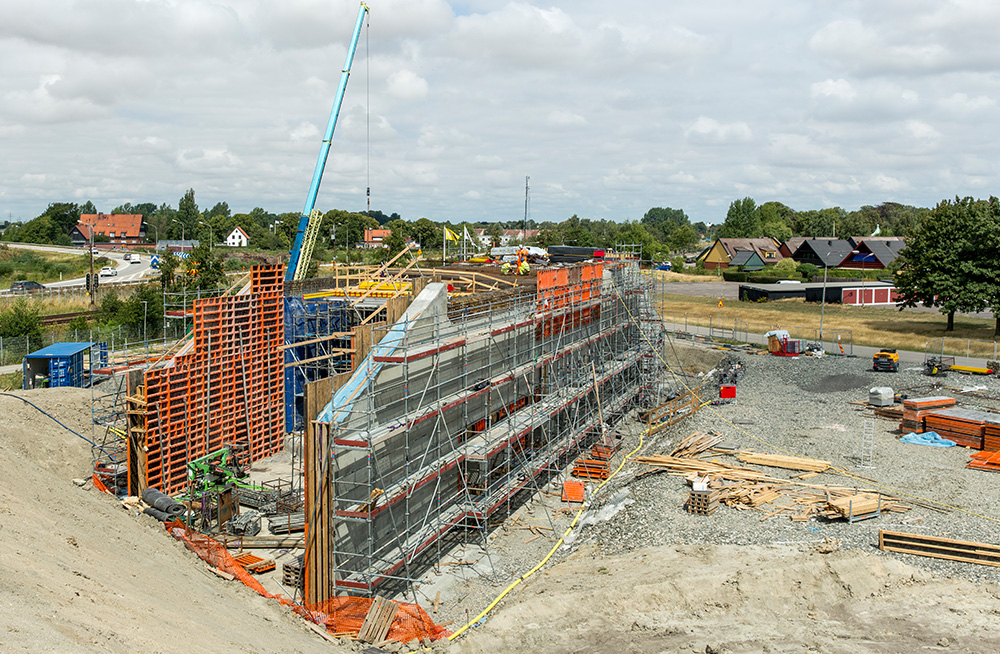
(945, 263)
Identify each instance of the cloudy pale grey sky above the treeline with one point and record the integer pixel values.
(610, 108)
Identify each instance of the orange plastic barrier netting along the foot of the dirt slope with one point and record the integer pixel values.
(340, 615)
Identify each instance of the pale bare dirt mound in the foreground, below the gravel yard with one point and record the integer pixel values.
(736, 599)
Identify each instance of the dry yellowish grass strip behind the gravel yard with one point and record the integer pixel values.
(872, 326)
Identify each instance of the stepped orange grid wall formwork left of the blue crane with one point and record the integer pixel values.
(225, 386)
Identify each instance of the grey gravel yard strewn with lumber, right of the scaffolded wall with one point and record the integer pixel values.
(802, 406)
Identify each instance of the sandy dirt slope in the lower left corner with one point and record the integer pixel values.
(80, 574)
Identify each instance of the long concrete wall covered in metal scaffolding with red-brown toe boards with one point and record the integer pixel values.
(454, 418)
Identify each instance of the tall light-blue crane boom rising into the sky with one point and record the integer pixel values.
(305, 237)
